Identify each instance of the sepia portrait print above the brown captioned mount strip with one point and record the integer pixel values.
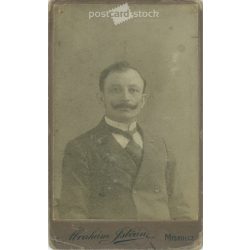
(126, 117)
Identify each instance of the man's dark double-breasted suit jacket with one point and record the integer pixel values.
(96, 183)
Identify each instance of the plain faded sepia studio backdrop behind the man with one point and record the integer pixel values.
(164, 49)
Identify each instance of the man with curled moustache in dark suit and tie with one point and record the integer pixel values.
(117, 170)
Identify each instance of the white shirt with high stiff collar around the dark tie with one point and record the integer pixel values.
(122, 140)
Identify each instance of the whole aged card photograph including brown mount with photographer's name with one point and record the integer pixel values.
(125, 111)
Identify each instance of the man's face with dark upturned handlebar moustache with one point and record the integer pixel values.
(123, 95)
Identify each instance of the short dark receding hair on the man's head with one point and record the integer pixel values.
(117, 67)
